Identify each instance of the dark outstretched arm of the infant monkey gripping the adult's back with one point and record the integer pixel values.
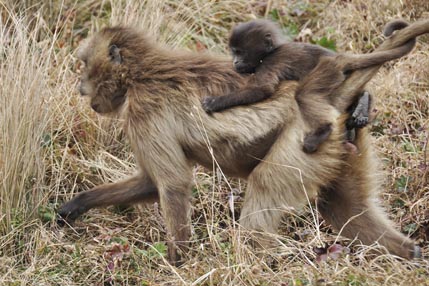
(261, 85)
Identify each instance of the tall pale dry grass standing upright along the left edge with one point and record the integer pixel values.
(29, 83)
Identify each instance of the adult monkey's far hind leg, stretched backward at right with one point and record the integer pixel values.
(349, 204)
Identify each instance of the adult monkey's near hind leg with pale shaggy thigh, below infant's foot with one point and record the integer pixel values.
(286, 180)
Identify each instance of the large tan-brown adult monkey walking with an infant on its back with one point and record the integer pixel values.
(159, 94)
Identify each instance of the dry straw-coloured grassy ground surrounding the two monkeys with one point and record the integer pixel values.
(53, 146)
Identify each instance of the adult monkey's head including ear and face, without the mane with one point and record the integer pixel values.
(105, 77)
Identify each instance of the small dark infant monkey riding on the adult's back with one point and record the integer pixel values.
(258, 48)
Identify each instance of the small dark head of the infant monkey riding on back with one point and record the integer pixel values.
(251, 42)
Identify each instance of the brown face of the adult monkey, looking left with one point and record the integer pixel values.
(103, 78)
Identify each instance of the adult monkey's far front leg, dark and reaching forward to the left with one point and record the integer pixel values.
(130, 191)
